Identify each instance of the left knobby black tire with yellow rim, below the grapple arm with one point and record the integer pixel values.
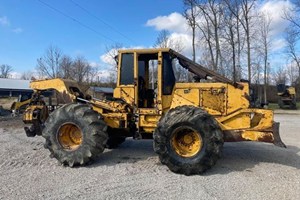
(75, 134)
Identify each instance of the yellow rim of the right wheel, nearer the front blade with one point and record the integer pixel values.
(186, 141)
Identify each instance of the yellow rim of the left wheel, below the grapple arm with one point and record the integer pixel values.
(70, 136)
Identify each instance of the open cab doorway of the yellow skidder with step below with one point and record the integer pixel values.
(148, 91)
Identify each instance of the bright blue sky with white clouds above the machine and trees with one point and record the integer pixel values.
(29, 27)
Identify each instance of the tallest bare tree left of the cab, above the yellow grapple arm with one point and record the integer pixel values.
(49, 64)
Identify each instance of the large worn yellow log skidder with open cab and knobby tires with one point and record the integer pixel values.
(189, 122)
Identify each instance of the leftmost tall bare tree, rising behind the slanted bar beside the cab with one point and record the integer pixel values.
(191, 14)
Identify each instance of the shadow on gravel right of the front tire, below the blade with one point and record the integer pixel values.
(243, 156)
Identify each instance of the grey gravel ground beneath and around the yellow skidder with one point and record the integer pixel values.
(246, 170)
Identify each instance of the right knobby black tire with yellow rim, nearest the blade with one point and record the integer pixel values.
(188, 140)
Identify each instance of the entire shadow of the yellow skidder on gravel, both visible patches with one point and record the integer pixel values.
(235, 157)
